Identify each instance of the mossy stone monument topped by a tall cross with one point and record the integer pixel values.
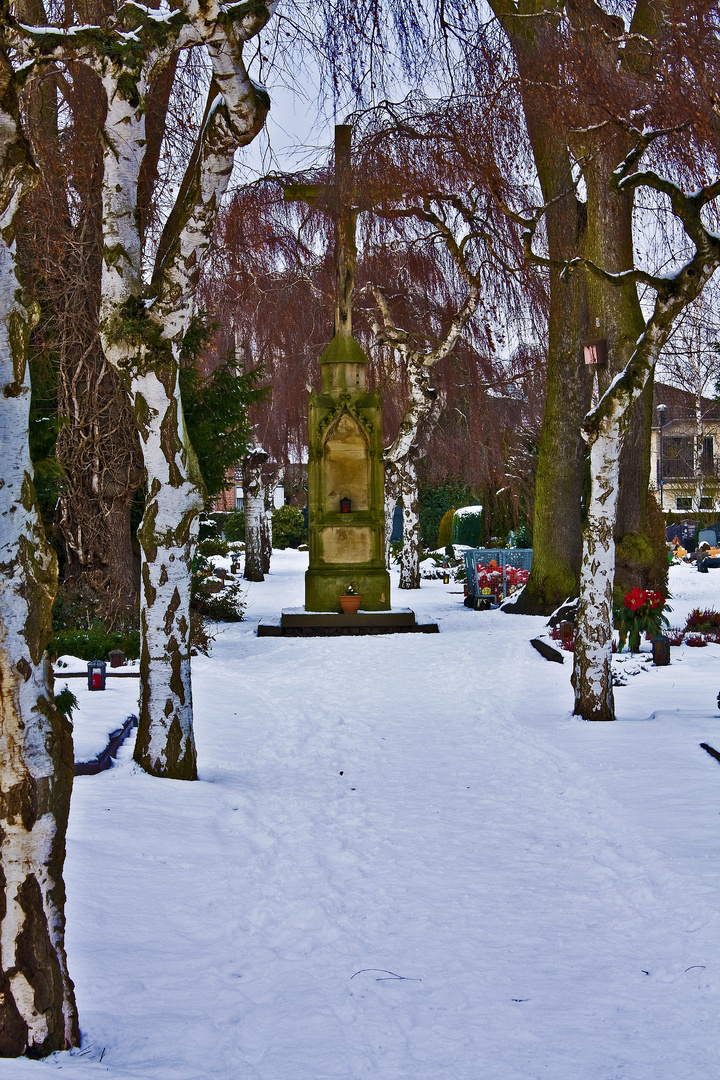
(346, 475)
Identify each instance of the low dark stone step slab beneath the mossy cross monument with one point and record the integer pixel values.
(298, 623)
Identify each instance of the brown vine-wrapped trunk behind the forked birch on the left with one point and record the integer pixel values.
(98, 445)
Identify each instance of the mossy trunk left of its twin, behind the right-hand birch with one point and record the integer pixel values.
(558, 537)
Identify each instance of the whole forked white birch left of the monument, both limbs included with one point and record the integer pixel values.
(143, 328)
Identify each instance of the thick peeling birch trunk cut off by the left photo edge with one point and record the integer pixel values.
(38, 1012)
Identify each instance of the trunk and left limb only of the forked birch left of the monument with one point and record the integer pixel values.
(135, 346)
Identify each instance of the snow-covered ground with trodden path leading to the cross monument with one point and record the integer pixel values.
(405, 861)
